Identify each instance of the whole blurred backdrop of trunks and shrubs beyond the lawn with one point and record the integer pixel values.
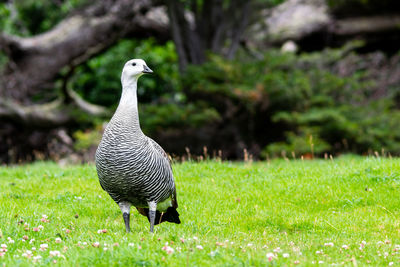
(232, 78)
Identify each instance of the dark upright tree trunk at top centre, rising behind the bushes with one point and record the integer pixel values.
(211, 26)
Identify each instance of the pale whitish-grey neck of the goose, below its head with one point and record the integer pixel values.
(128, 106)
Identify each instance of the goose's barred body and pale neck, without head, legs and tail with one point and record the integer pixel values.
(131, 166)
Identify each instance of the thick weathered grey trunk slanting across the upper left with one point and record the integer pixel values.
(35, 62)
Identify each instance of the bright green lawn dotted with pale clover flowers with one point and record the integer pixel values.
(233, 214)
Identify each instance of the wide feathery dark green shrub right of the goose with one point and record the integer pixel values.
(300, 96)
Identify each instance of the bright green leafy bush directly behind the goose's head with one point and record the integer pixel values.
(98, 79)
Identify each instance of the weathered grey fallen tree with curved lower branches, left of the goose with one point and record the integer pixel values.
(32, 130)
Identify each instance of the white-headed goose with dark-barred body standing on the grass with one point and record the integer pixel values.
(132, 168)
